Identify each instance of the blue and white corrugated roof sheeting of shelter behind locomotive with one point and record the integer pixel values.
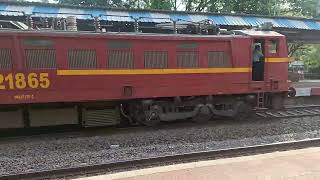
(9, 9)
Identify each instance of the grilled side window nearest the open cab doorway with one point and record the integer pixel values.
(218, 59)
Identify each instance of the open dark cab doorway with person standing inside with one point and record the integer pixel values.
(258, 60)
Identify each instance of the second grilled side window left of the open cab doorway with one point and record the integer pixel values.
(187, 59)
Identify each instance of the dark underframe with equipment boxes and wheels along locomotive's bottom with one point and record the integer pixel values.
(138, 111)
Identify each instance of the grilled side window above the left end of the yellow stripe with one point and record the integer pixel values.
(82, 59)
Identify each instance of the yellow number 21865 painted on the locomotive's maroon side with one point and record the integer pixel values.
(22, 81)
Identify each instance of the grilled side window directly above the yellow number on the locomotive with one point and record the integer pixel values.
(40, 59)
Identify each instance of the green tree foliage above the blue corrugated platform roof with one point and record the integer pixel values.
(305, 8)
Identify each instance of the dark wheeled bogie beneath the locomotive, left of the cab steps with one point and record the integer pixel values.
(199, 109)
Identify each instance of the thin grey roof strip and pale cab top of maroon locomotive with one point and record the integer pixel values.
(239, 34)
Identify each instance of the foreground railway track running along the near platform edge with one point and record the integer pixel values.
(97, 169)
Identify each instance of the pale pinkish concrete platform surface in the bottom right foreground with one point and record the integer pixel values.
(290, 165)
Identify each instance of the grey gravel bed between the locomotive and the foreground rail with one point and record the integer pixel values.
(45, 153)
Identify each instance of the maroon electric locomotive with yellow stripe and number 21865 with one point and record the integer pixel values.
(145, 78)
